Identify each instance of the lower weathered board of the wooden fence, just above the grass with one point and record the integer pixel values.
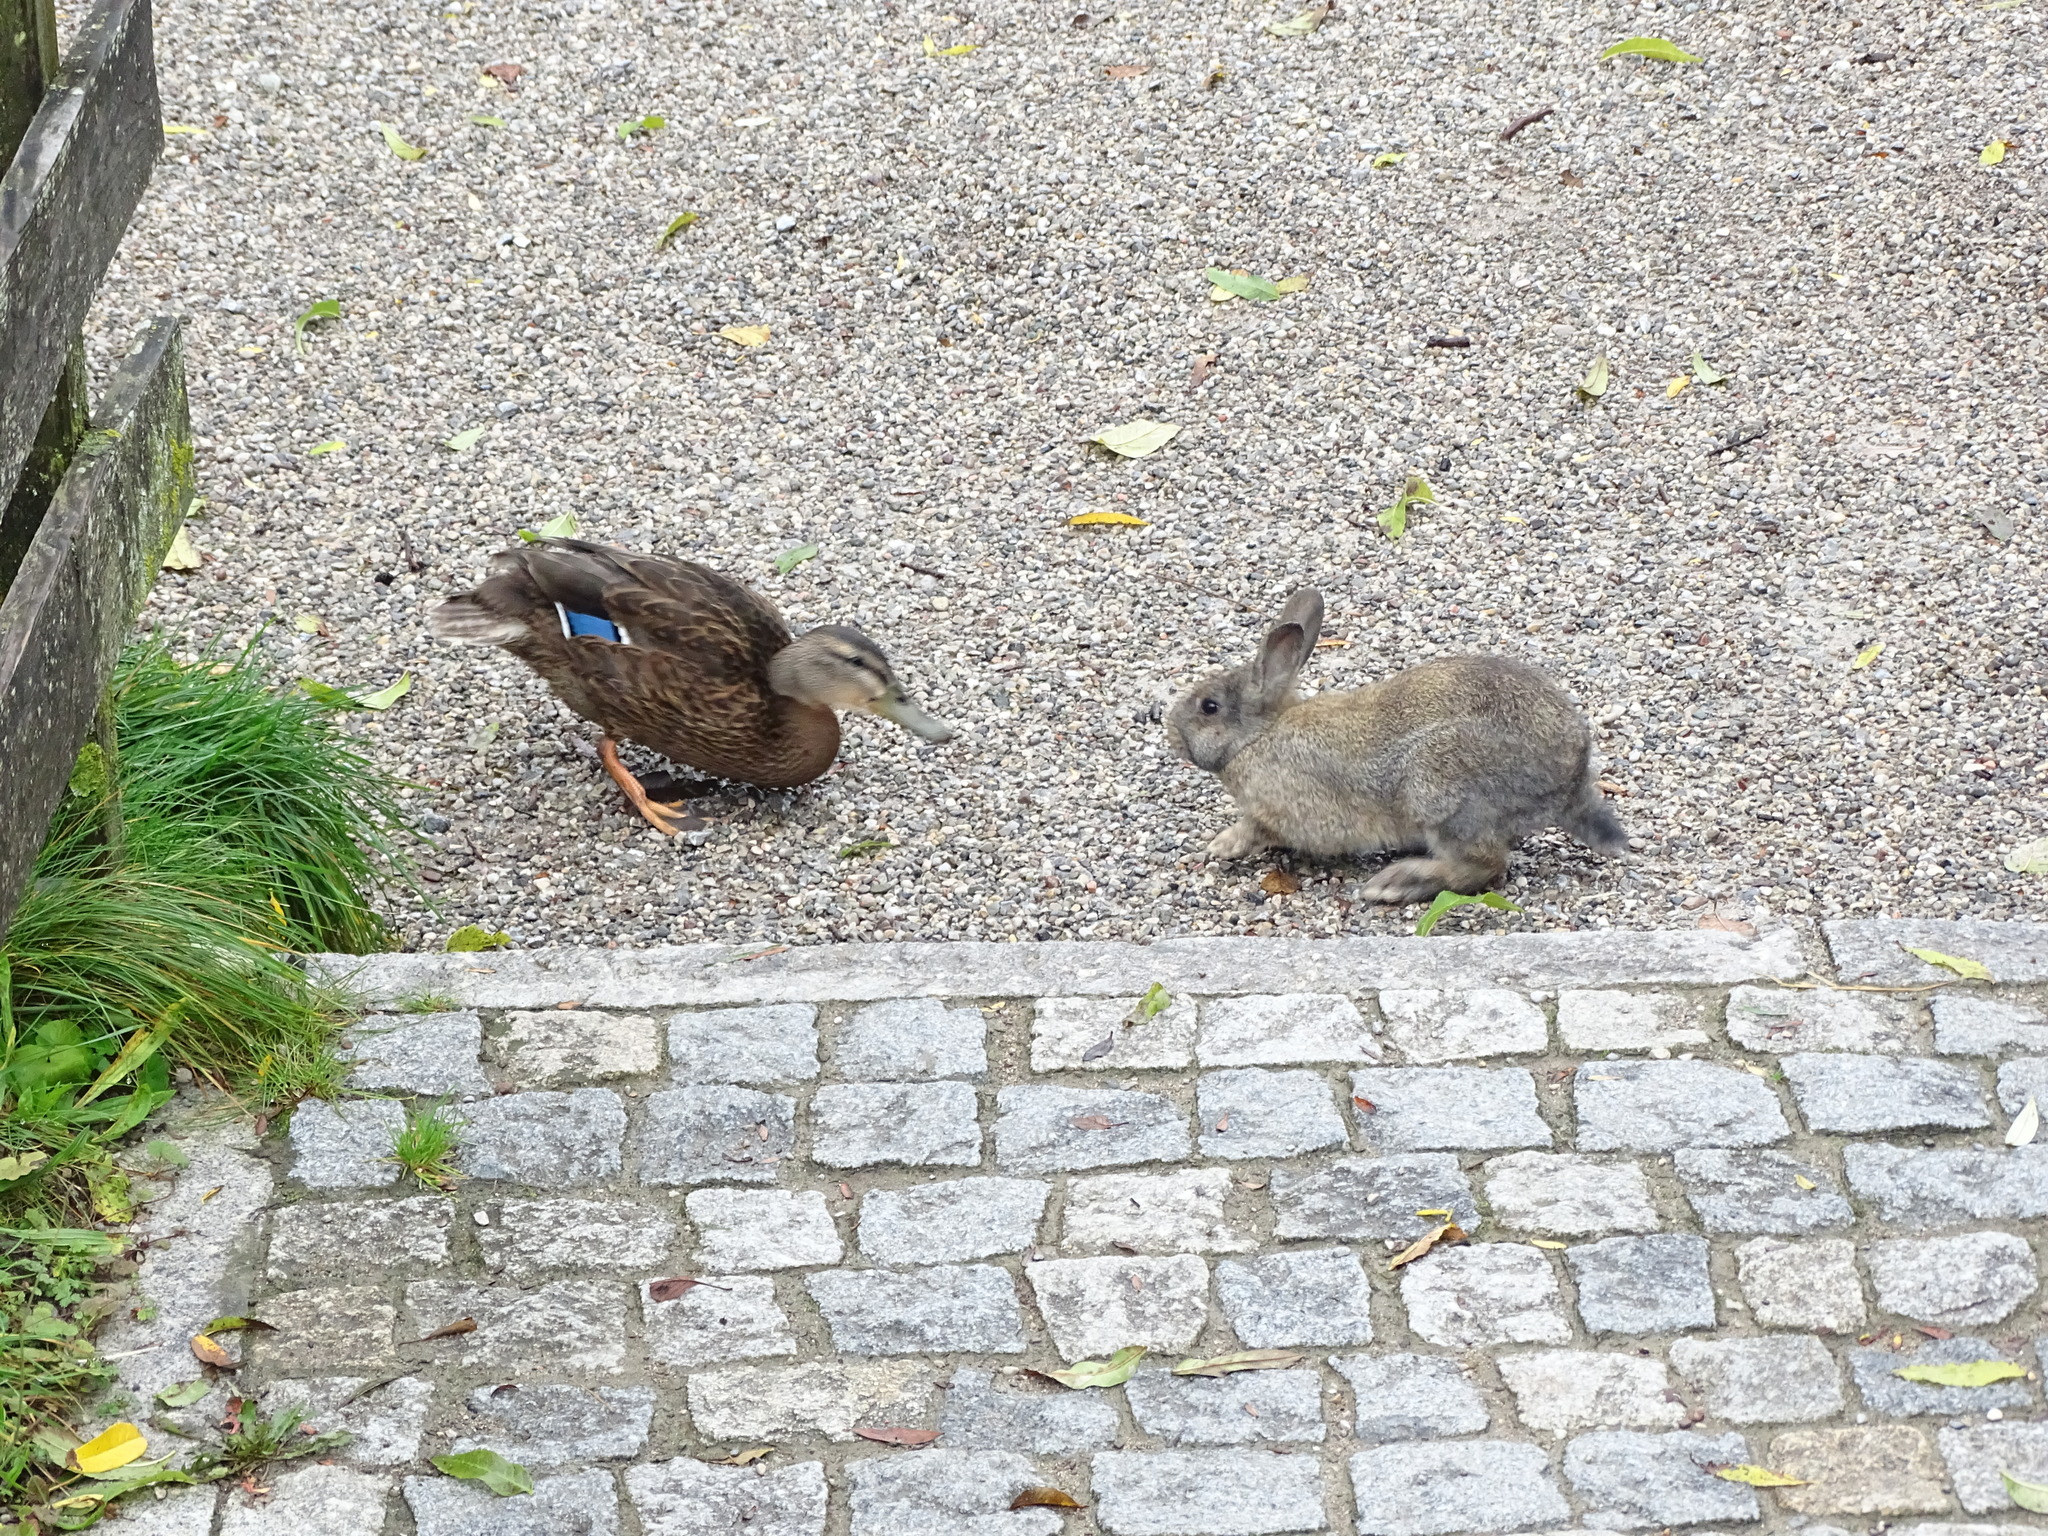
(85, 581)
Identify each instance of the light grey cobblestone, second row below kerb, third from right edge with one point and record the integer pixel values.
(1668, 1105)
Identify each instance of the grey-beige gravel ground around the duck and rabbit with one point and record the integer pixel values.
(974, 263)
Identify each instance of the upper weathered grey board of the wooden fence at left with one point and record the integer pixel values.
(65, 206)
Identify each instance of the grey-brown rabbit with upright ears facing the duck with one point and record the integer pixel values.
(1457, 759)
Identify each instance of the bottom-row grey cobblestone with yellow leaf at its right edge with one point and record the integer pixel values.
(1635, 1482)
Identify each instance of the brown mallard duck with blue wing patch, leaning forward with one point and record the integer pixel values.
(679, 658)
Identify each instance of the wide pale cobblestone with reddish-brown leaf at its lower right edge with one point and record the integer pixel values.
(818, 1398)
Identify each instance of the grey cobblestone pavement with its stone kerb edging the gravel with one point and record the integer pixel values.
(1711, 1220)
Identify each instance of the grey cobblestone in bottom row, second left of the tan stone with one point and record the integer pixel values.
(1455, 1486)
